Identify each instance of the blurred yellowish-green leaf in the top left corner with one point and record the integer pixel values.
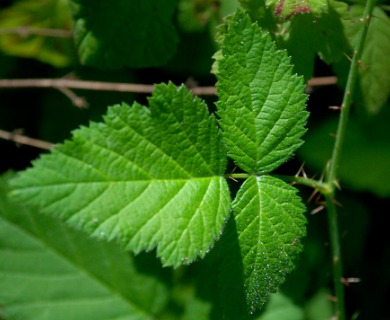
(36, 19)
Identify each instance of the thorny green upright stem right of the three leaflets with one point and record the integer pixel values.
(331, 178)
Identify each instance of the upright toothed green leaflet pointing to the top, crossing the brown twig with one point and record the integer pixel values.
(261, 103)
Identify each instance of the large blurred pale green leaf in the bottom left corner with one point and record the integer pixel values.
(50, 271)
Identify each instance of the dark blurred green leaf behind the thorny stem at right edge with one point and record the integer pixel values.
(365, 156)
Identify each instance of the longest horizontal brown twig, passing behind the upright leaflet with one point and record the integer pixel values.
(121, 87)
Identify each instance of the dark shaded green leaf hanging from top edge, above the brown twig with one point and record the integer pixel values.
(124, 32)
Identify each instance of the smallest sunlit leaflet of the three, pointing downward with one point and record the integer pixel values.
(269, 223)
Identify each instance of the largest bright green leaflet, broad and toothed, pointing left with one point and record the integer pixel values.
(146, 178)
